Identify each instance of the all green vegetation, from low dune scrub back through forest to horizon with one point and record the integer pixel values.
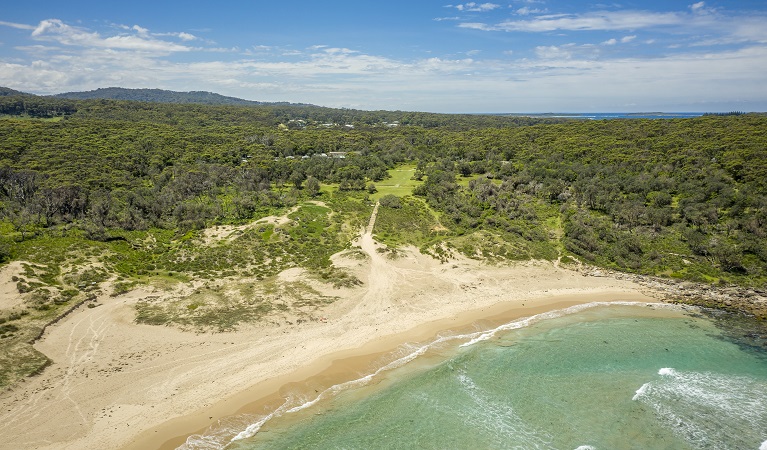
(131, 192)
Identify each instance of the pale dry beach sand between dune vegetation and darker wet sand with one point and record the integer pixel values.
(117, 384)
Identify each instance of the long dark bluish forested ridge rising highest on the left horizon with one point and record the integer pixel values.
(163, 96)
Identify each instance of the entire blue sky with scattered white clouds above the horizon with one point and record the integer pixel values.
(421, 55)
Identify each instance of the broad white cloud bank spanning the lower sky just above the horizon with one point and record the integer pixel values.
(342, 76)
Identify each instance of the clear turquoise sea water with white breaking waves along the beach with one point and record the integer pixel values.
(601, 378)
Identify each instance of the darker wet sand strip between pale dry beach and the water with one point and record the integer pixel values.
(347, 365)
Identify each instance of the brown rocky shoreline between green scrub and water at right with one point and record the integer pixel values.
(752, 301)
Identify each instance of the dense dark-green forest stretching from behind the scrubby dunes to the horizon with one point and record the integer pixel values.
(633, 195)
